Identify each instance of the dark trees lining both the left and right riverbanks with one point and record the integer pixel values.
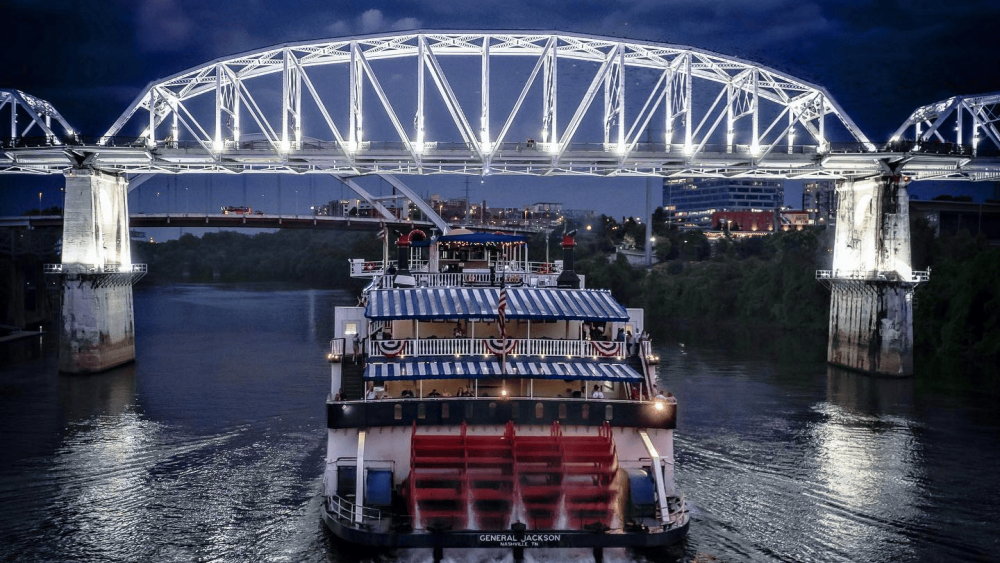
(766, 282)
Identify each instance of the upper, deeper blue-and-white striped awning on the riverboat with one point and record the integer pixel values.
(481, 303)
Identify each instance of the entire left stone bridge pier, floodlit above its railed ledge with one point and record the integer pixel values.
(98, 325)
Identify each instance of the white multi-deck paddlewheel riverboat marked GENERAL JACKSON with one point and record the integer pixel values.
(481, 400)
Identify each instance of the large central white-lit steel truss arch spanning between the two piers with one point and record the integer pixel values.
(732, 113)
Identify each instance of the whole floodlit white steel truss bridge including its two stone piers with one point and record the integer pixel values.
(511, 103)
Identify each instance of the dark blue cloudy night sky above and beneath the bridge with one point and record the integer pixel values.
(879, 59)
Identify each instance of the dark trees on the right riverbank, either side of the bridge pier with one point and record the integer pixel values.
(770, 282)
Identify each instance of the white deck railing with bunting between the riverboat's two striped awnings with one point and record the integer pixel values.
(482, 346)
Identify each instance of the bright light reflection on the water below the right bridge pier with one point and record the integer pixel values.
(870, 471)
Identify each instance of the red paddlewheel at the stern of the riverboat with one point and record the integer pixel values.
(488, 482)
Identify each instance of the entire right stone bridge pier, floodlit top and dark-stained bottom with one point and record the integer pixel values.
(871, 302)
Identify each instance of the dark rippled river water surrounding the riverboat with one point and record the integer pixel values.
(211, 446)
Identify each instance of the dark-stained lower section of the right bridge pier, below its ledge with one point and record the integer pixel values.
(871, 327)
